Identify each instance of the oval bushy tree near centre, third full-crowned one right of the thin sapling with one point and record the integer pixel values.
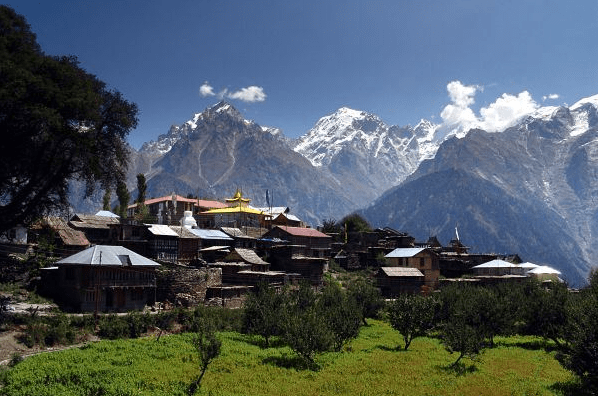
(342, 315)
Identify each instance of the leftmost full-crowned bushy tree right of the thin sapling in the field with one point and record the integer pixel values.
(263, 311)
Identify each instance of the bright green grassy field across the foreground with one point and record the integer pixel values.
(369, 365)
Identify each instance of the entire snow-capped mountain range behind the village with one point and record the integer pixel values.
(527, 190)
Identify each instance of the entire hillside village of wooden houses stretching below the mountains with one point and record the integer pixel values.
(187, 252)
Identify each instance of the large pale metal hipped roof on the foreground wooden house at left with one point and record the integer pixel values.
(108, 255)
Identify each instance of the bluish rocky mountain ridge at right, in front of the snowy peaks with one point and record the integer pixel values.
(528, 190)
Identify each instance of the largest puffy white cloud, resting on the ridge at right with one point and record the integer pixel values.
(504, 112)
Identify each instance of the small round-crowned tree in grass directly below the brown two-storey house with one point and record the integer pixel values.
(412, 316)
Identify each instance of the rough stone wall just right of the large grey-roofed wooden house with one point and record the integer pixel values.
(185, 286)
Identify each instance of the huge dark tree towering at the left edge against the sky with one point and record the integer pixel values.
(60, 123)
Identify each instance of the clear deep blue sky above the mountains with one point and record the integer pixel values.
(286, 64)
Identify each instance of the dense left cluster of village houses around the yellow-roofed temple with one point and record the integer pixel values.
(110, 263)
